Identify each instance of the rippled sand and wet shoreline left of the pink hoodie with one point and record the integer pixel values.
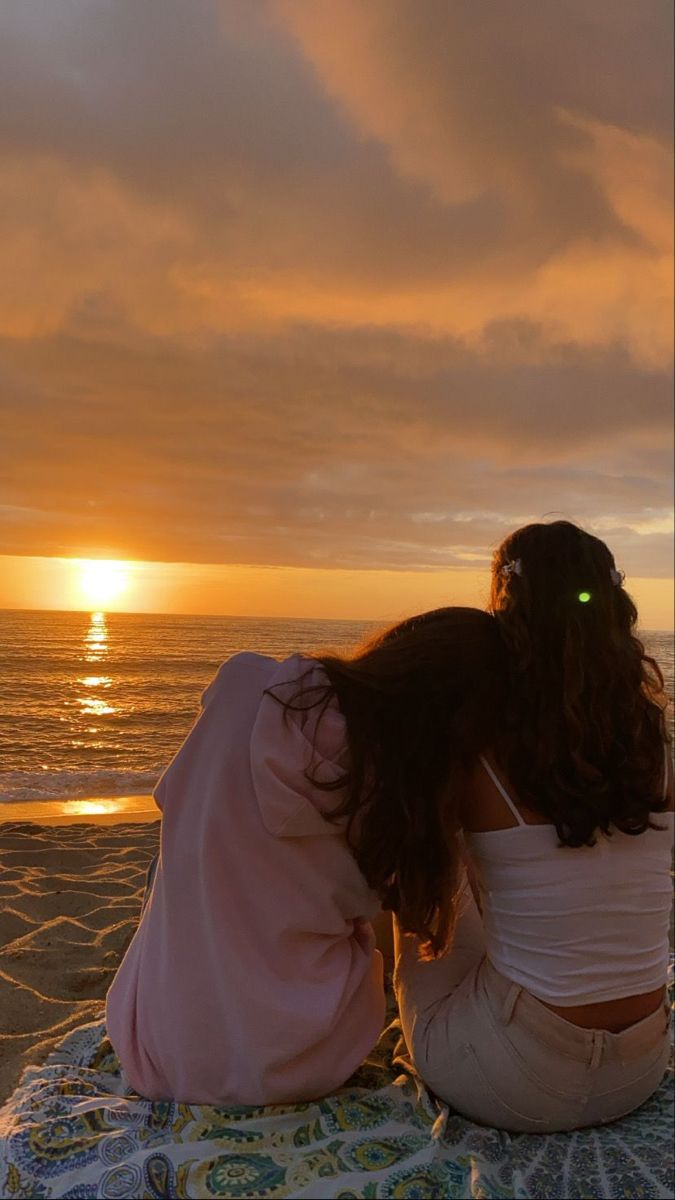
(70, 895)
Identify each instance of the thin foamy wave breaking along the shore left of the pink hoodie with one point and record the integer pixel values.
(58, 785)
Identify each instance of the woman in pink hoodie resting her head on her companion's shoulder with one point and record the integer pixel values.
(309, 795)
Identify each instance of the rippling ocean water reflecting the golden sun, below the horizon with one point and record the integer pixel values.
(97, 704)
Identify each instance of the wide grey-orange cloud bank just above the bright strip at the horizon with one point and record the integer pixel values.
(321, 449)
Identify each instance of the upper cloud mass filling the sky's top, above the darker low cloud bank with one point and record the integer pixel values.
(381, 164)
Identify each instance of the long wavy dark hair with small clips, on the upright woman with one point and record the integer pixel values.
(583, 740)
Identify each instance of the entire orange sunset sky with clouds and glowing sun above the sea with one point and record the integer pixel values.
(308, 303)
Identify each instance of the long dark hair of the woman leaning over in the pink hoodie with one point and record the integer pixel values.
(421, 703)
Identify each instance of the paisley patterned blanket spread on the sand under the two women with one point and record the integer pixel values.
(74, 1129)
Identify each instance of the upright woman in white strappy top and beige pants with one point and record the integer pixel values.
(548, 1012)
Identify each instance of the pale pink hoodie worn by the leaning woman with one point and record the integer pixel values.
(253, 977)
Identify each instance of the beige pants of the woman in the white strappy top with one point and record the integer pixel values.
(503, 1059)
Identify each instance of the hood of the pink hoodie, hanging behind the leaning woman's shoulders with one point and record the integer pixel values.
(286, 745)
